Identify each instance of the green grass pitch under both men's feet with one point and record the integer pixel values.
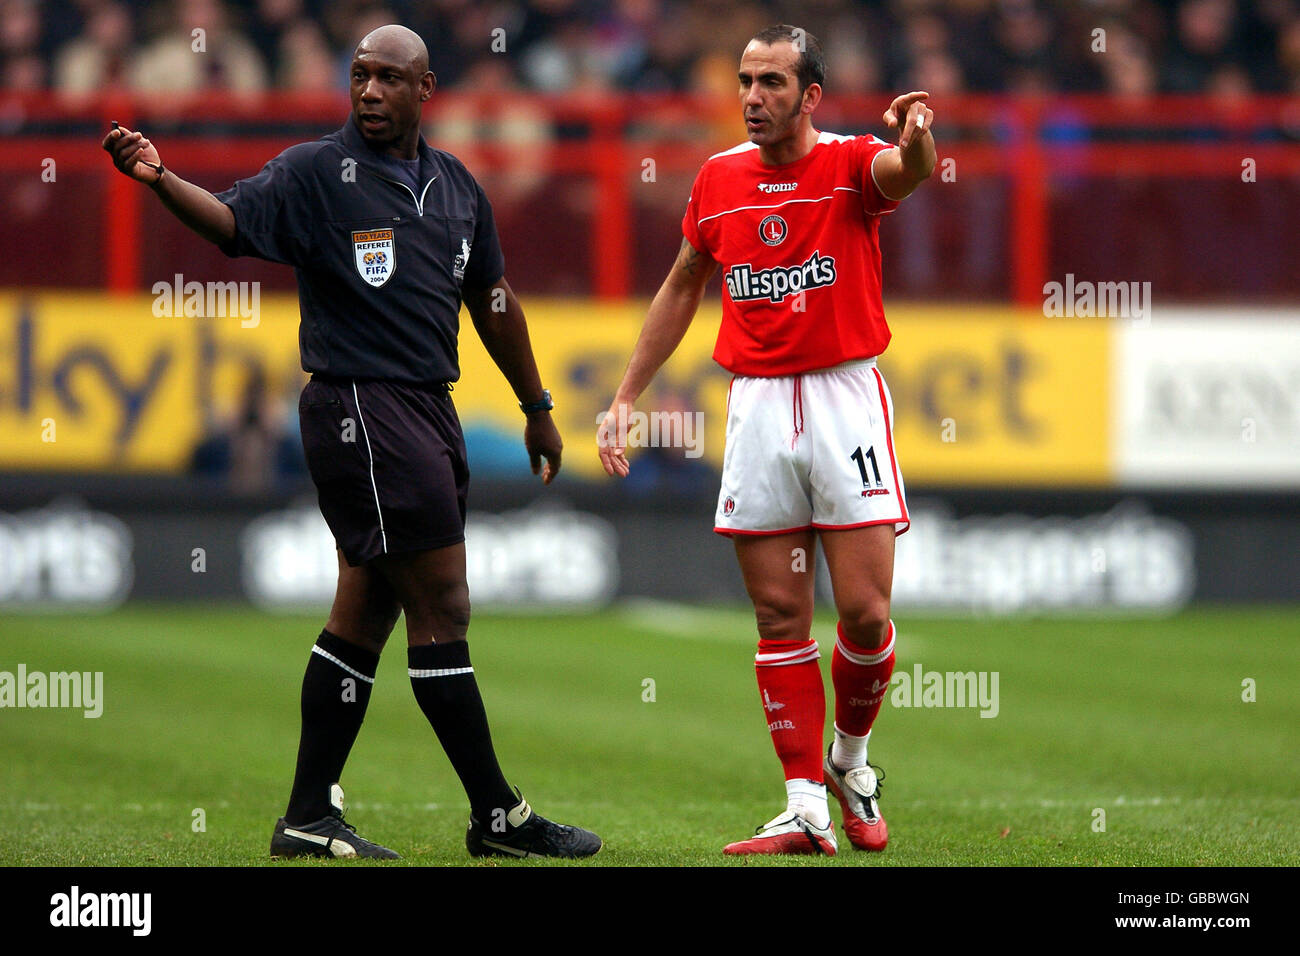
(1141, 719)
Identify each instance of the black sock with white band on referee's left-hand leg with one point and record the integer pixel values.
(336, 691)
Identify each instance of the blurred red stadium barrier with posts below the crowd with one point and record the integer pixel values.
(1032, 145)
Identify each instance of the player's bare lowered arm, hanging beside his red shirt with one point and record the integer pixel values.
(670, 317)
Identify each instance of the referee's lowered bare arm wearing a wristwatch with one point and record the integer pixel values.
(500, 321)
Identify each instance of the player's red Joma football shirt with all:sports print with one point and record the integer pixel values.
(800, 256)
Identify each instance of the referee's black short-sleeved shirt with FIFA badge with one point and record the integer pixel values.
(380, 267)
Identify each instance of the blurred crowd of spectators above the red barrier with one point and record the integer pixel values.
(567, 46)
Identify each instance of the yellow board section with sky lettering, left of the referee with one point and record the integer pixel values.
(101, 383)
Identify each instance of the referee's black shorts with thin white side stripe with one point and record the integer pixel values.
(389, 465)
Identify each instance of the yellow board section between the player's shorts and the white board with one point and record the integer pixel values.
(989, 397)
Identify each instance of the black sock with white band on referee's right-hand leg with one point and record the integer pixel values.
(445, 687)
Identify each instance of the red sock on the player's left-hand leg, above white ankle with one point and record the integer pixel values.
(790, 680)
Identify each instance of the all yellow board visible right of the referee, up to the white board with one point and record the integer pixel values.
(982, 396)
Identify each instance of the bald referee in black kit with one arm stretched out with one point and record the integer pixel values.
(388, 237)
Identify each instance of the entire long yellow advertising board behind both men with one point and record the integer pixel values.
(982, 396)
